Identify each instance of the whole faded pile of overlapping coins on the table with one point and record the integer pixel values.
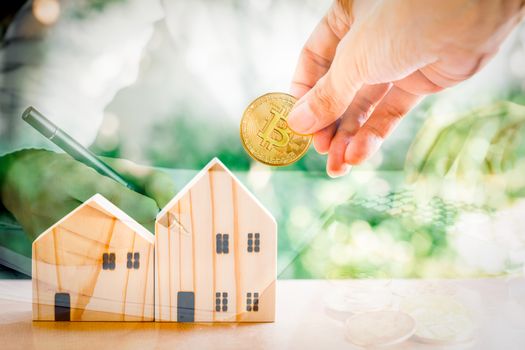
(372, 317)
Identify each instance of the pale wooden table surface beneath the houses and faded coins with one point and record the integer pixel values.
(303, 320)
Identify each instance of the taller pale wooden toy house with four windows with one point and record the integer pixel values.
(215, 253)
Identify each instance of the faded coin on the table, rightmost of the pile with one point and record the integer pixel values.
(441, 319)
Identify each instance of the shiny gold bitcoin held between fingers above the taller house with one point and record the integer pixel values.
(265, 134)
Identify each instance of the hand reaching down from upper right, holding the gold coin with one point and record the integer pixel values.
(369, 62)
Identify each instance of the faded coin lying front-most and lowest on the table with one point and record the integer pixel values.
(379, 328)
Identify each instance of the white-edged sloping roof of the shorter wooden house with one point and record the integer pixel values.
(111, 208)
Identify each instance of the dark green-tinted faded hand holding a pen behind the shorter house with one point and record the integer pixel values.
(40, 187)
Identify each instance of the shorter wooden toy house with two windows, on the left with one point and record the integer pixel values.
(68, 258)
